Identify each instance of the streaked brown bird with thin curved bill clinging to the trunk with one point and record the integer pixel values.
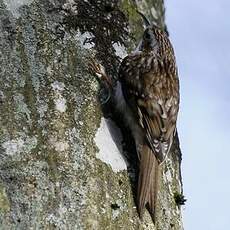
(147, 94)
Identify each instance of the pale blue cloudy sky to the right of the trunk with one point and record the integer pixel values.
(200, 33)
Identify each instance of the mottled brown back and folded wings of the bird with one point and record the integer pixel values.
(154, 93)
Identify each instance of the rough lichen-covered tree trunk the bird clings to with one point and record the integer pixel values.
(60, 166)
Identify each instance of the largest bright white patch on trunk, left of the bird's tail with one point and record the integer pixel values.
(108, 139)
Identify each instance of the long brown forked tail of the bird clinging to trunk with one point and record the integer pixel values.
(147, 182)
